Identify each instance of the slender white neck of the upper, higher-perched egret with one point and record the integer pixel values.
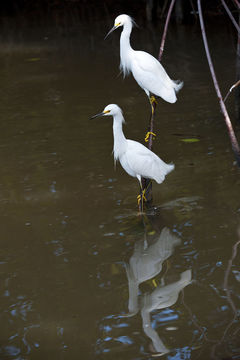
(125, 48)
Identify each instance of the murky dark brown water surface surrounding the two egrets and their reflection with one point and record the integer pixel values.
(82, 275)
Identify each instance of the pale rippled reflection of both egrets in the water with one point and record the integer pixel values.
(146, 263)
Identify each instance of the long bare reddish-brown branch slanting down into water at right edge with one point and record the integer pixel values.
(231, 133)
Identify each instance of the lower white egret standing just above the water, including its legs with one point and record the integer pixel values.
(137, 160)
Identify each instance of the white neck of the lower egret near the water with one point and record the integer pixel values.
(120, 142)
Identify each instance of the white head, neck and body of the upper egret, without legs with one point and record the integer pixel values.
(147, 71)
